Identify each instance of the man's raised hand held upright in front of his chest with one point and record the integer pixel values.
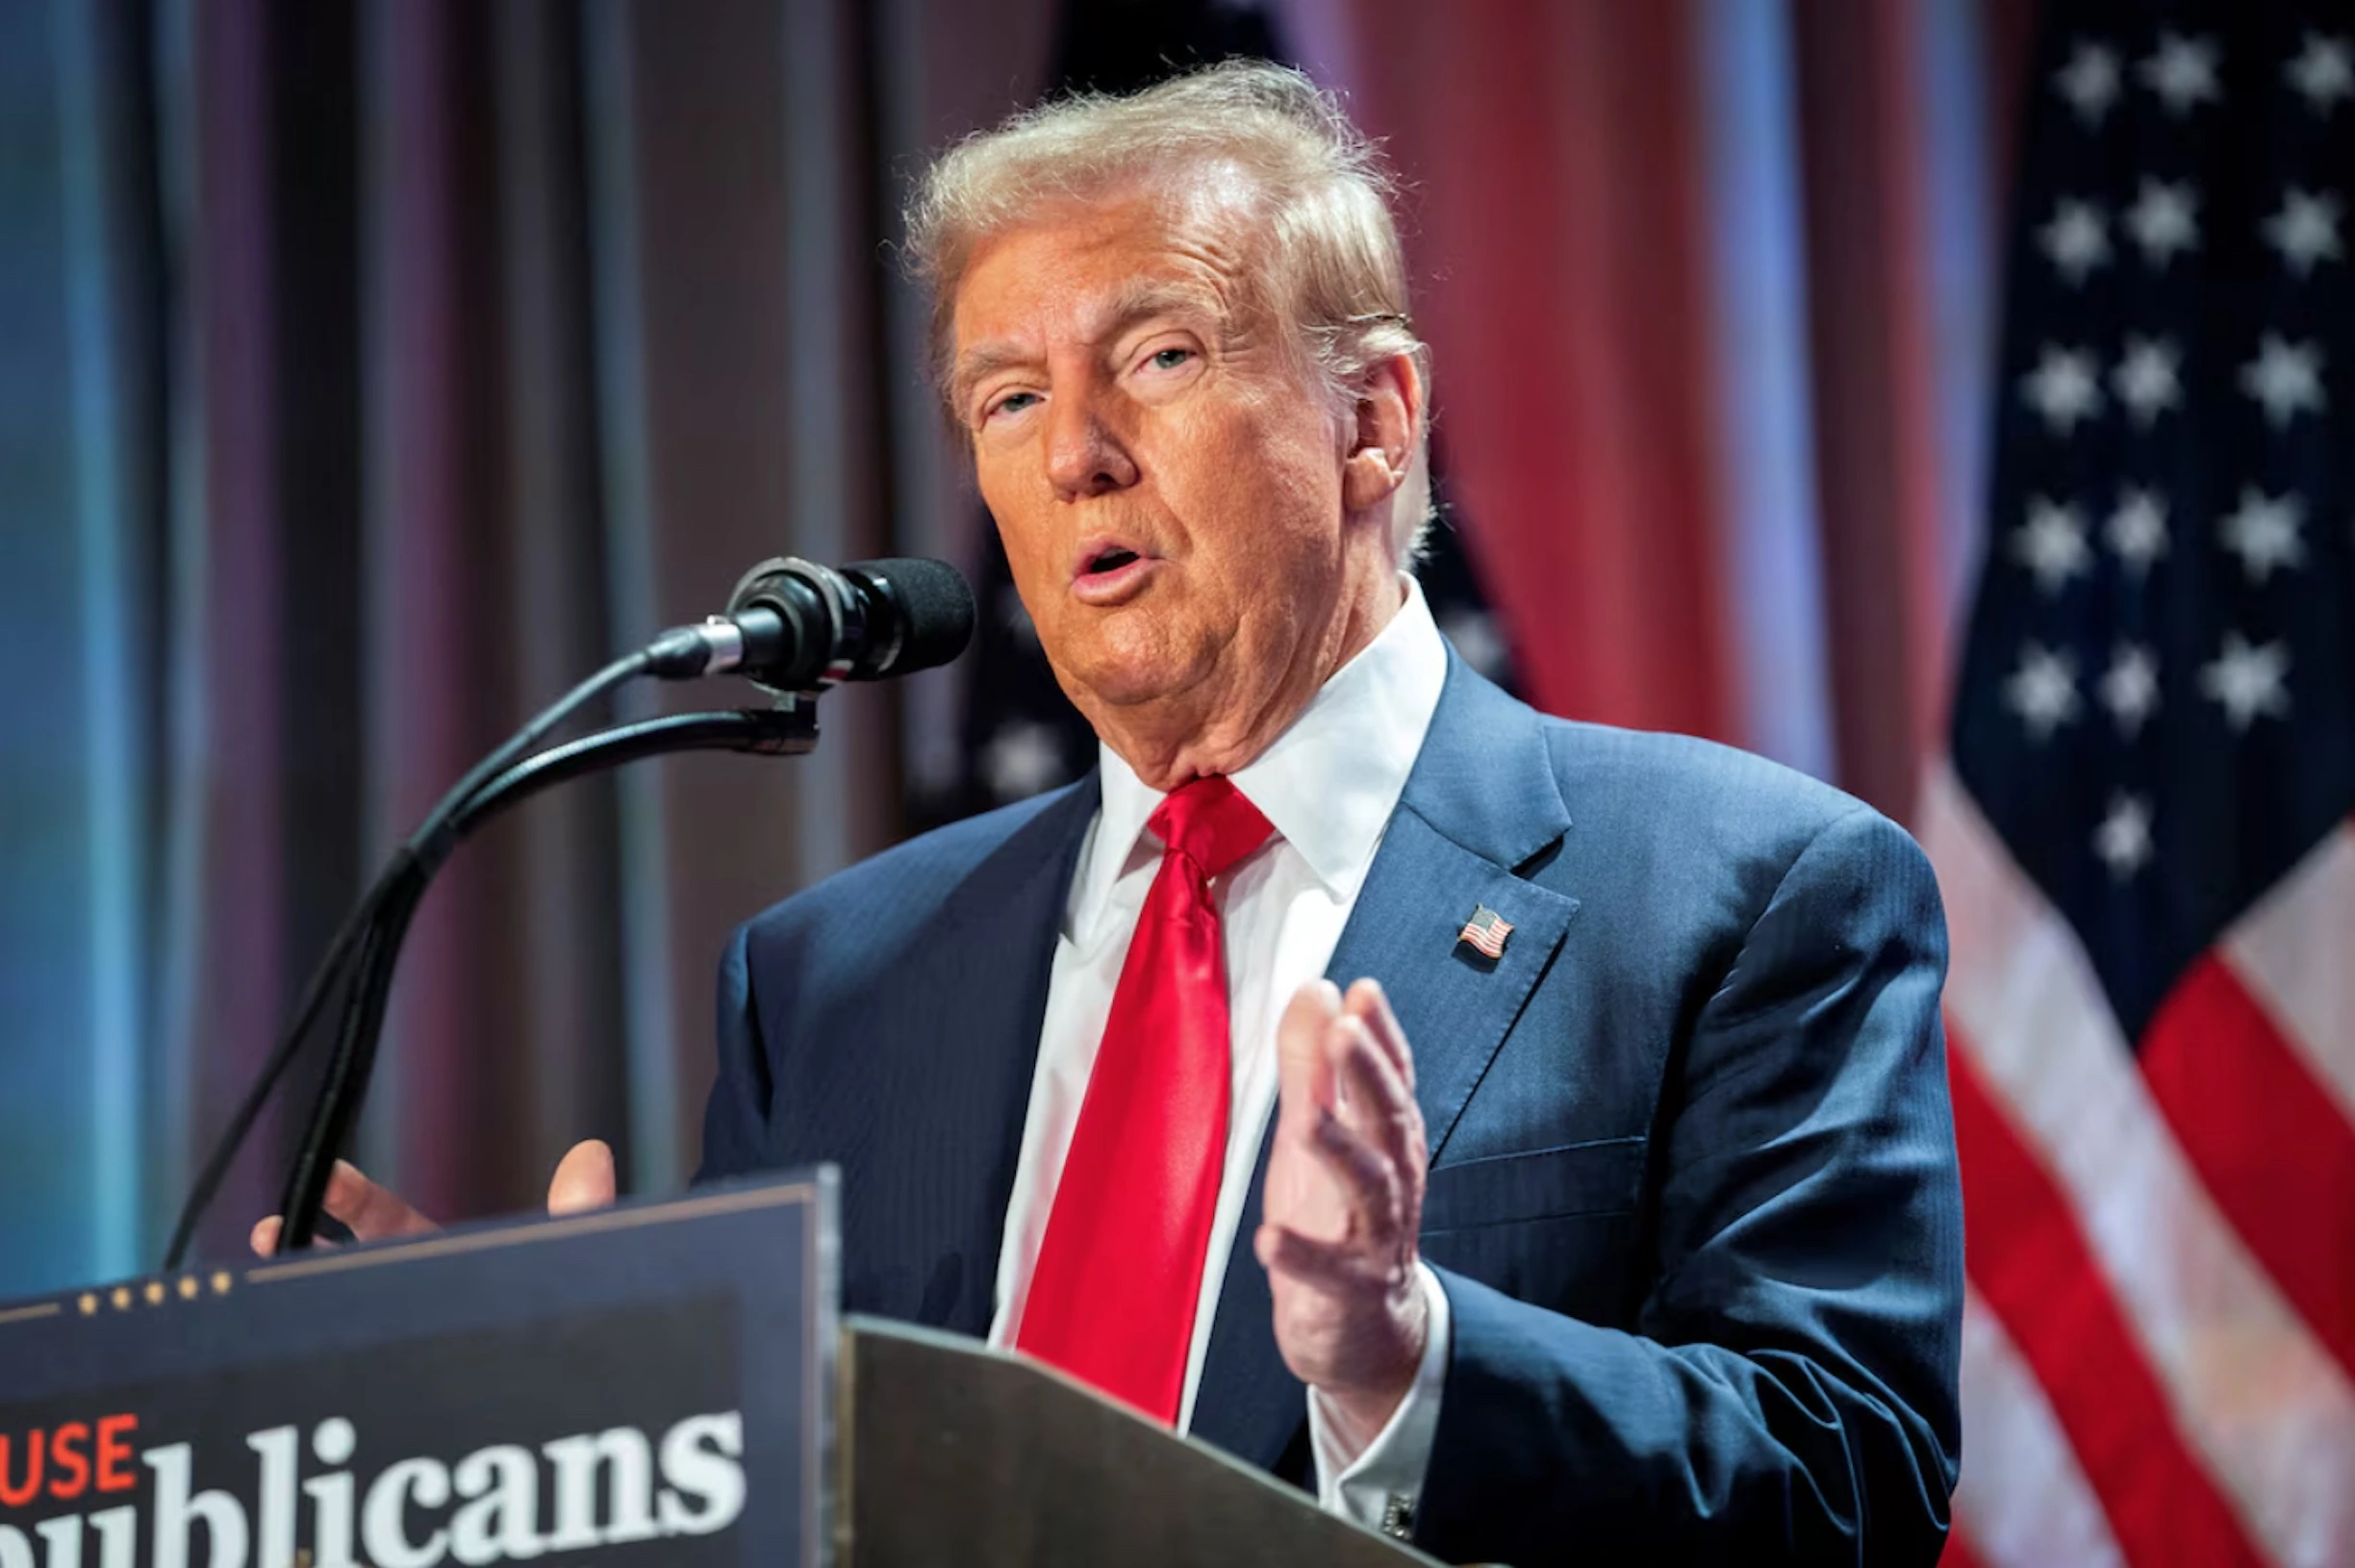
(1346, 1202)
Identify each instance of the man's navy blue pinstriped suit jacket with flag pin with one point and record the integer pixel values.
(1692, 1185)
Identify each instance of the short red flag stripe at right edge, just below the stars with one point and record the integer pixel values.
(2269, 1143)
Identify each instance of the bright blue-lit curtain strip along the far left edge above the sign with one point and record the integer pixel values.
(79, 571)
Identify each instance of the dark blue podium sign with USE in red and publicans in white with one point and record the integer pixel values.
(639, 1386)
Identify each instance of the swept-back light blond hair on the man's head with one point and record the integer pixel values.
(1334, 267)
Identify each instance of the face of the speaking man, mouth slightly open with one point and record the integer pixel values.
(1165, 474)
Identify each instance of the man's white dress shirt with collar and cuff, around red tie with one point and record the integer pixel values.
(1327, 788)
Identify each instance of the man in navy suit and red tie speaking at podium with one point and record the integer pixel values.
(1612, 1211)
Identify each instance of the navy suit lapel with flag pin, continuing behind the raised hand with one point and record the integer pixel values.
(1480, 804)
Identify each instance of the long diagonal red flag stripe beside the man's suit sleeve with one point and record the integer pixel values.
(2034, 1265)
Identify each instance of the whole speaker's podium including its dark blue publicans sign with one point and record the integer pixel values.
(661, 1383)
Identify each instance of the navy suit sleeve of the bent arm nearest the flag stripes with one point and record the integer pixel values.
(1791, 1386)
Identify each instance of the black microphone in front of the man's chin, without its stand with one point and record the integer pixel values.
(800, 627)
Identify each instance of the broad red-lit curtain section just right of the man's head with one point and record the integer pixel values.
(1558, 237)
